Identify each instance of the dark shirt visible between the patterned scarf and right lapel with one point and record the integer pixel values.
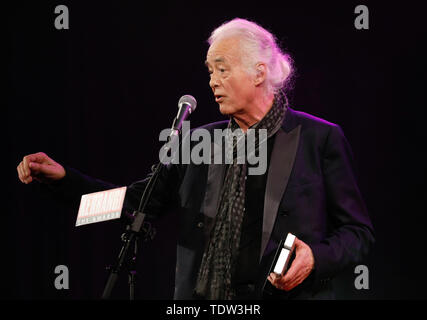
(250, 239)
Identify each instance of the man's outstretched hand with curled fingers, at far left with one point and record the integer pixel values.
(38, 166)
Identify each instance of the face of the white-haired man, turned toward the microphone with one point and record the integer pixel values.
(231, 84)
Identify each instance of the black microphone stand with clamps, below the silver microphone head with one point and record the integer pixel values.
(131, 236)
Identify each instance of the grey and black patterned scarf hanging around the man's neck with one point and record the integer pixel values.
(219, 259)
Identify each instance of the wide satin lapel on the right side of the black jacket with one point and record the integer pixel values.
(281, 164)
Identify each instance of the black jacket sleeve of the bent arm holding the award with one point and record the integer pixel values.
(350, 235)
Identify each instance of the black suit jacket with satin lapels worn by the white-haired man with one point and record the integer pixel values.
(311, 191)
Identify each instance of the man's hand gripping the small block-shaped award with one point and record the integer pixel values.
(300, 269)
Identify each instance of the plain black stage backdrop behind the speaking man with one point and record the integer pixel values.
(96, 96)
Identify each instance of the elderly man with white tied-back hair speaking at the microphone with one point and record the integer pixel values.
(232, 222)
